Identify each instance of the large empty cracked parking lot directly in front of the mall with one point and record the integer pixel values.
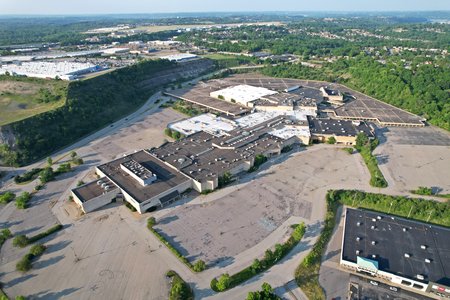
(219, 226)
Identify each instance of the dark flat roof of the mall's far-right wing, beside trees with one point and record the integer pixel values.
(339, 127)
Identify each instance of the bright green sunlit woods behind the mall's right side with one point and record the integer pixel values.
(422, 90)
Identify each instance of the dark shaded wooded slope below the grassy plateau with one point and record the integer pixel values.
(90, 105)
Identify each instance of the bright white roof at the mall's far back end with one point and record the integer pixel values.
(243, 93)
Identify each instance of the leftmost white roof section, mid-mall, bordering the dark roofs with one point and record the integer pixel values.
(207, 122)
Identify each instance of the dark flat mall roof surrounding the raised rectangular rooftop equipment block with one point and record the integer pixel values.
(167, 177)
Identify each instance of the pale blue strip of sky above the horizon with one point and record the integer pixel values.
(47, 7)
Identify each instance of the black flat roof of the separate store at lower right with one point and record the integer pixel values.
(392, 242)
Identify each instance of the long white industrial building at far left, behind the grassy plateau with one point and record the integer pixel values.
(63, 70)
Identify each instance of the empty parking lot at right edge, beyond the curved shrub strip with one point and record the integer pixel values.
(413, 157)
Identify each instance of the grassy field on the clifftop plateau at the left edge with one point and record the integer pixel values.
(21, 98)
